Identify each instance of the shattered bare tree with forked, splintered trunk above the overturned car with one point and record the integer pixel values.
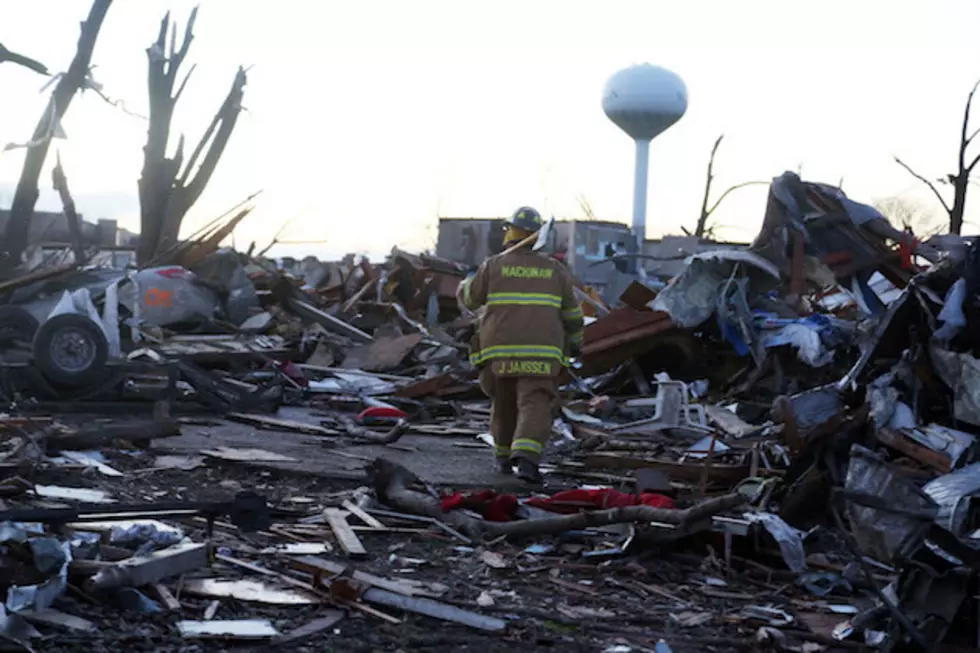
(169, 186)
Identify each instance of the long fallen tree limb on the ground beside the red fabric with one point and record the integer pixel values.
(391, 483)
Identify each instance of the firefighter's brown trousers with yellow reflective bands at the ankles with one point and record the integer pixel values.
(520, 413)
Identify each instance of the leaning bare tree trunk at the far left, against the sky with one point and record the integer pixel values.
(25, 197)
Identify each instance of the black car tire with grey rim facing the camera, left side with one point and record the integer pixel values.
(71, 350)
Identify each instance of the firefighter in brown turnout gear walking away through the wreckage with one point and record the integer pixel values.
(531, 323)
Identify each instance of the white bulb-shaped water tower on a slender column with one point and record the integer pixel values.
(643, 101)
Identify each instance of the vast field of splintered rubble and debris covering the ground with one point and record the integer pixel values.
(296, 453)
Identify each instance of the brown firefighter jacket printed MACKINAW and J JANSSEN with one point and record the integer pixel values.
(530, 314)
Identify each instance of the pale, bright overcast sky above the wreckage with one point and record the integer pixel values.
(366, 120)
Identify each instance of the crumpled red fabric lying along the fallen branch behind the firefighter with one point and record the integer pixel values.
(502, 507)
